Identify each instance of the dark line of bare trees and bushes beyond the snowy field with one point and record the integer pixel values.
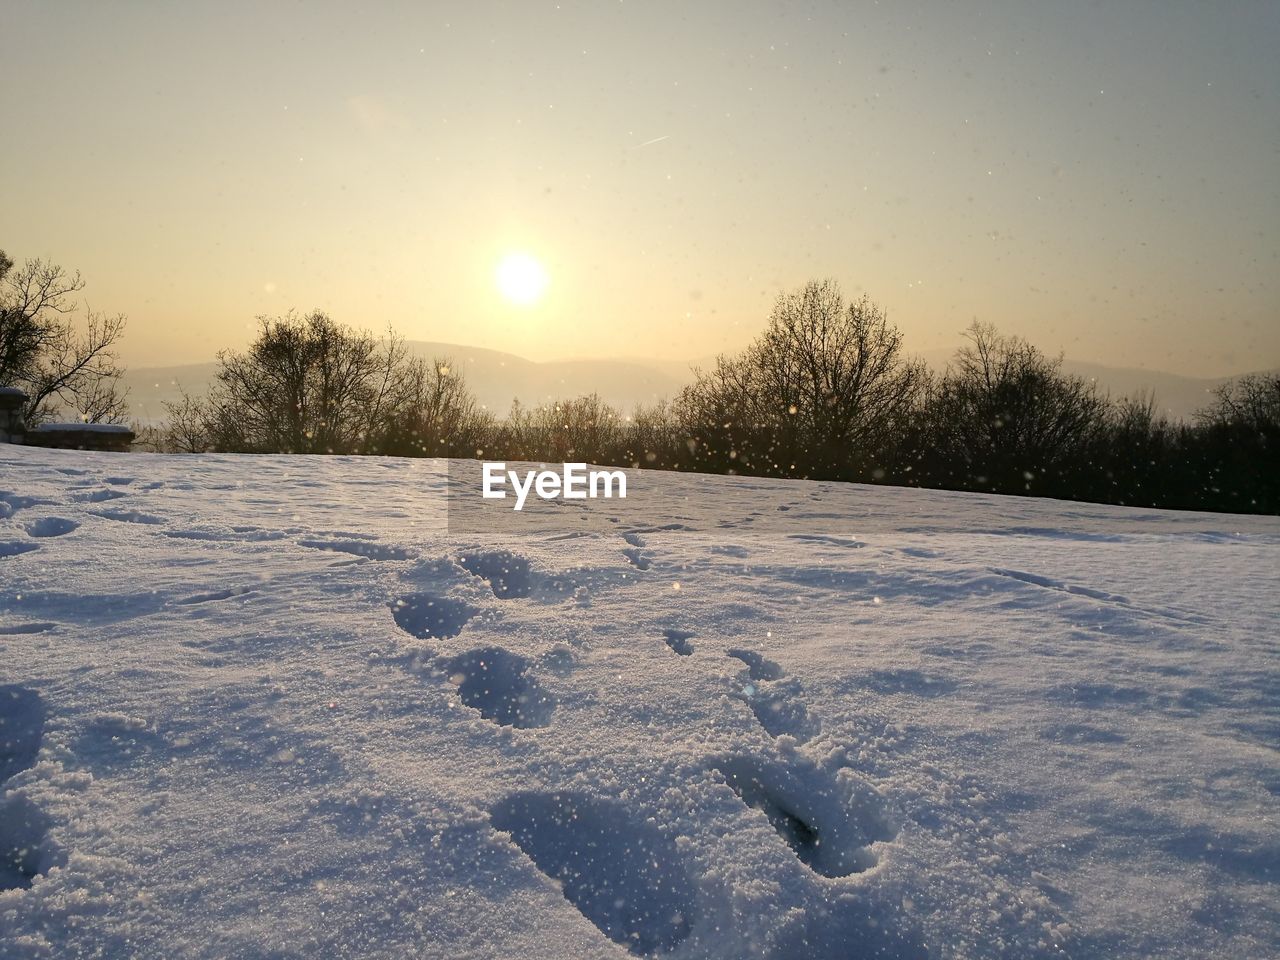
(826, 392)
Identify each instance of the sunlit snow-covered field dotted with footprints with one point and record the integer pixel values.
(272, 707)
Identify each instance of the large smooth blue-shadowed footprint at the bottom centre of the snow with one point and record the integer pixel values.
(618, 868)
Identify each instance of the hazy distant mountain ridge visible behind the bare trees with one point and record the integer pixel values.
(499, 380)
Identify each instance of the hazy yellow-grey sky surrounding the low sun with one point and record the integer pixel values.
(1101, 179)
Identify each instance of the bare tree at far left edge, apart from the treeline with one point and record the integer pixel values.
(61, 364)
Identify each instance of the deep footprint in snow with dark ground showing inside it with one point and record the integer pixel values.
(829, 822)
